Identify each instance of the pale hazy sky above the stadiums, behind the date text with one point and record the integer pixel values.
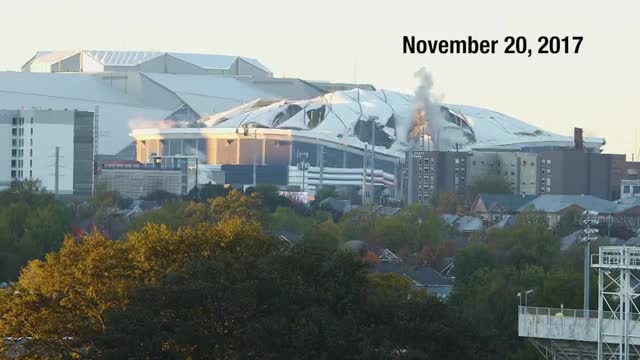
(596, 89)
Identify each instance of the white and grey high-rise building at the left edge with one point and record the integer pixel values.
(55, 147)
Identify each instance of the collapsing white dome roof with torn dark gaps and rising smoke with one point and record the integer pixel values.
(346, 116)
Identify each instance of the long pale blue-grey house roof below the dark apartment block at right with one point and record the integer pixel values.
(557, 203)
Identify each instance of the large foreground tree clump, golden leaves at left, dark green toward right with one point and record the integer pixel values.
(218, 285)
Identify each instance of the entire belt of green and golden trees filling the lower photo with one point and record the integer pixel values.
(206, 277)
